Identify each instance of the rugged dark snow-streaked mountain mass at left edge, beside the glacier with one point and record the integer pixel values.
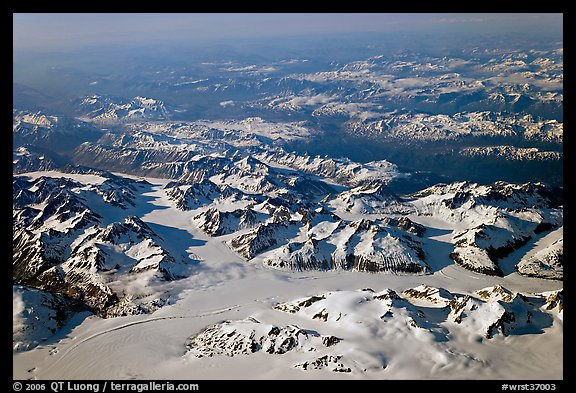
(61, 246)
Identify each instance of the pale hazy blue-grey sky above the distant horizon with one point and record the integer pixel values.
(53, 30)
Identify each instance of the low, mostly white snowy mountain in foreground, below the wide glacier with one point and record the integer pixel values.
(364, 331)
